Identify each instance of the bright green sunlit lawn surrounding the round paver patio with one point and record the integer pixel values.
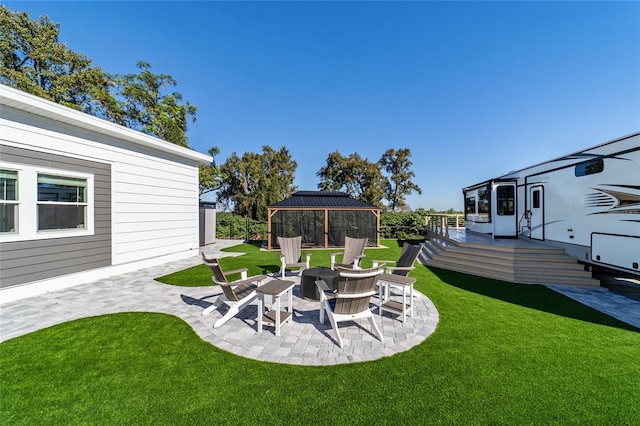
(502, 354)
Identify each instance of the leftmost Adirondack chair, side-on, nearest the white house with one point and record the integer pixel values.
(235, 294)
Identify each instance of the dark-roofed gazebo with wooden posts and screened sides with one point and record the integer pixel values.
(323, 219)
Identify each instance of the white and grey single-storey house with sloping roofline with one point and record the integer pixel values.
(84, 198)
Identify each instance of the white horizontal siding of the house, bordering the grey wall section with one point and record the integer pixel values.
(154, 193)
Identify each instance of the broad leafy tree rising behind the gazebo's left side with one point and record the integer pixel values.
(255, 181)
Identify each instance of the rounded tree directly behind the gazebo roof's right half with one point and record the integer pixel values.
(354, 175)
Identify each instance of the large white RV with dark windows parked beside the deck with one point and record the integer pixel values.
(587, 203)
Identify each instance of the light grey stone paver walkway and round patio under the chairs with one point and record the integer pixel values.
(303, 341)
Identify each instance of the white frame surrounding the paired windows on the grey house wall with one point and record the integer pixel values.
(28, 208)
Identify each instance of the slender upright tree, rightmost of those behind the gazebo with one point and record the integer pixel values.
(399, 185)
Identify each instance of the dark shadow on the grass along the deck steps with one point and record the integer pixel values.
(534, 296)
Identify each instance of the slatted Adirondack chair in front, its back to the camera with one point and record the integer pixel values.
(351, 300)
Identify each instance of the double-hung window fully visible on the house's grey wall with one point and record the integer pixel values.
(62, 202)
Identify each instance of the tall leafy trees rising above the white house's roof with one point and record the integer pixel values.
(33, 60)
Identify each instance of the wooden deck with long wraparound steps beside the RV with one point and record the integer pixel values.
(513, 260)
